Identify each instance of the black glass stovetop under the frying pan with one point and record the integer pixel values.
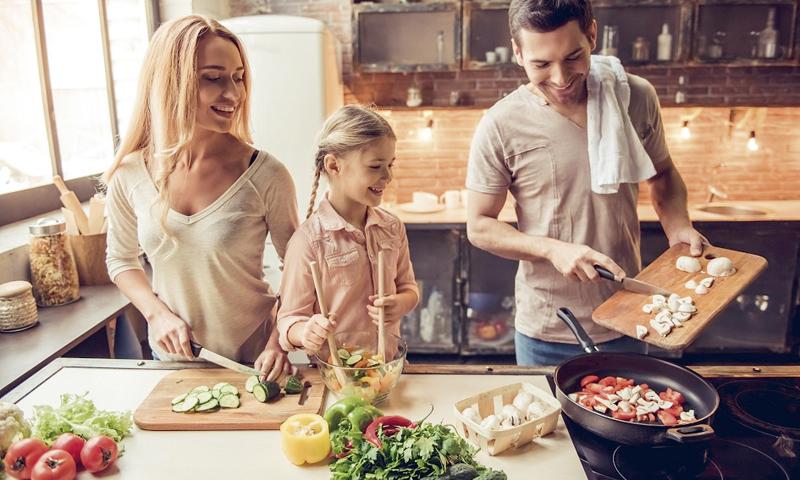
(757, 437)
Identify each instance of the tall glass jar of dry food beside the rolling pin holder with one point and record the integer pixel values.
(53, 272)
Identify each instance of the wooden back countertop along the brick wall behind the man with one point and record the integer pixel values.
(776, 210)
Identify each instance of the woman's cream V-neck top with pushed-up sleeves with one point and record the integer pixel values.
(211, 276)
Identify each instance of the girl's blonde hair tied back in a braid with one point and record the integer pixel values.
(350, 128)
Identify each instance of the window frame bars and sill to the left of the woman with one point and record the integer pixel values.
(33, 201)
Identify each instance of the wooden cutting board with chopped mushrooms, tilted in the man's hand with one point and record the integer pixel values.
(701, 288)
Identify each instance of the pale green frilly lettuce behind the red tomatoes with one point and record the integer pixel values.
(77, 414)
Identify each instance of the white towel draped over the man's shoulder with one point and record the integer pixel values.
(616, 154)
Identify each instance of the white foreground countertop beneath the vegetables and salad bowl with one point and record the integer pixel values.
(123, 384)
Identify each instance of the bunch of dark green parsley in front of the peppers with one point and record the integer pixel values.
(428, 450)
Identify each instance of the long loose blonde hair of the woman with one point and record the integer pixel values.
(163, 120)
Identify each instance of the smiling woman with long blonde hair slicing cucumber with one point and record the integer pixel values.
(187, 186)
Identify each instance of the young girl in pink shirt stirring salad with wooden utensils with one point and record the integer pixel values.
(344, 236)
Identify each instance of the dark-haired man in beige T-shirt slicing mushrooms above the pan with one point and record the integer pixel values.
(534, 143)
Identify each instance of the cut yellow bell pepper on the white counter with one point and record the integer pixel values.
(305, 438)
